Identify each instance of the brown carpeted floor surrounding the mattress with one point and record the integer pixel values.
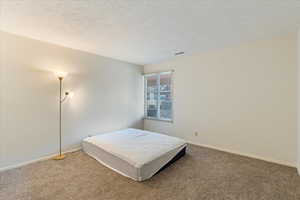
(203, 174)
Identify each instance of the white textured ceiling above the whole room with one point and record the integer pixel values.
(148, 31)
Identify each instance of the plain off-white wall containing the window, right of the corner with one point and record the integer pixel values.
(241, 99)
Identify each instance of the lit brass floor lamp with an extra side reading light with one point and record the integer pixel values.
(60, 76)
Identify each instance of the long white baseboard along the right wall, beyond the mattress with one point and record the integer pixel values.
(244, 154)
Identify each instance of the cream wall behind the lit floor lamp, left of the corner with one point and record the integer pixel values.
(108, 95)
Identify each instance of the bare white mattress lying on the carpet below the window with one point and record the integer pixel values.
(134, 153)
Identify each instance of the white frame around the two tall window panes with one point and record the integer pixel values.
(158, 118)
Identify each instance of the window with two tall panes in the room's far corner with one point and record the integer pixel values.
(158, 96)
